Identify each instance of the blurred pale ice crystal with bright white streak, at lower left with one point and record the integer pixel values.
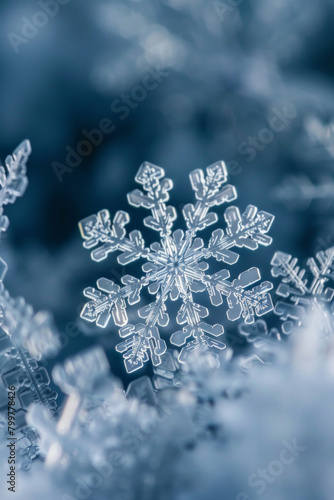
(86, 381)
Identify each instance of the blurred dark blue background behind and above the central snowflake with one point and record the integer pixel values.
(179, 83)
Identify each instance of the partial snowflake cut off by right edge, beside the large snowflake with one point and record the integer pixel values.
(302, 294)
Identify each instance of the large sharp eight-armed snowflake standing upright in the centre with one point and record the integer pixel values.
(176, 267)
